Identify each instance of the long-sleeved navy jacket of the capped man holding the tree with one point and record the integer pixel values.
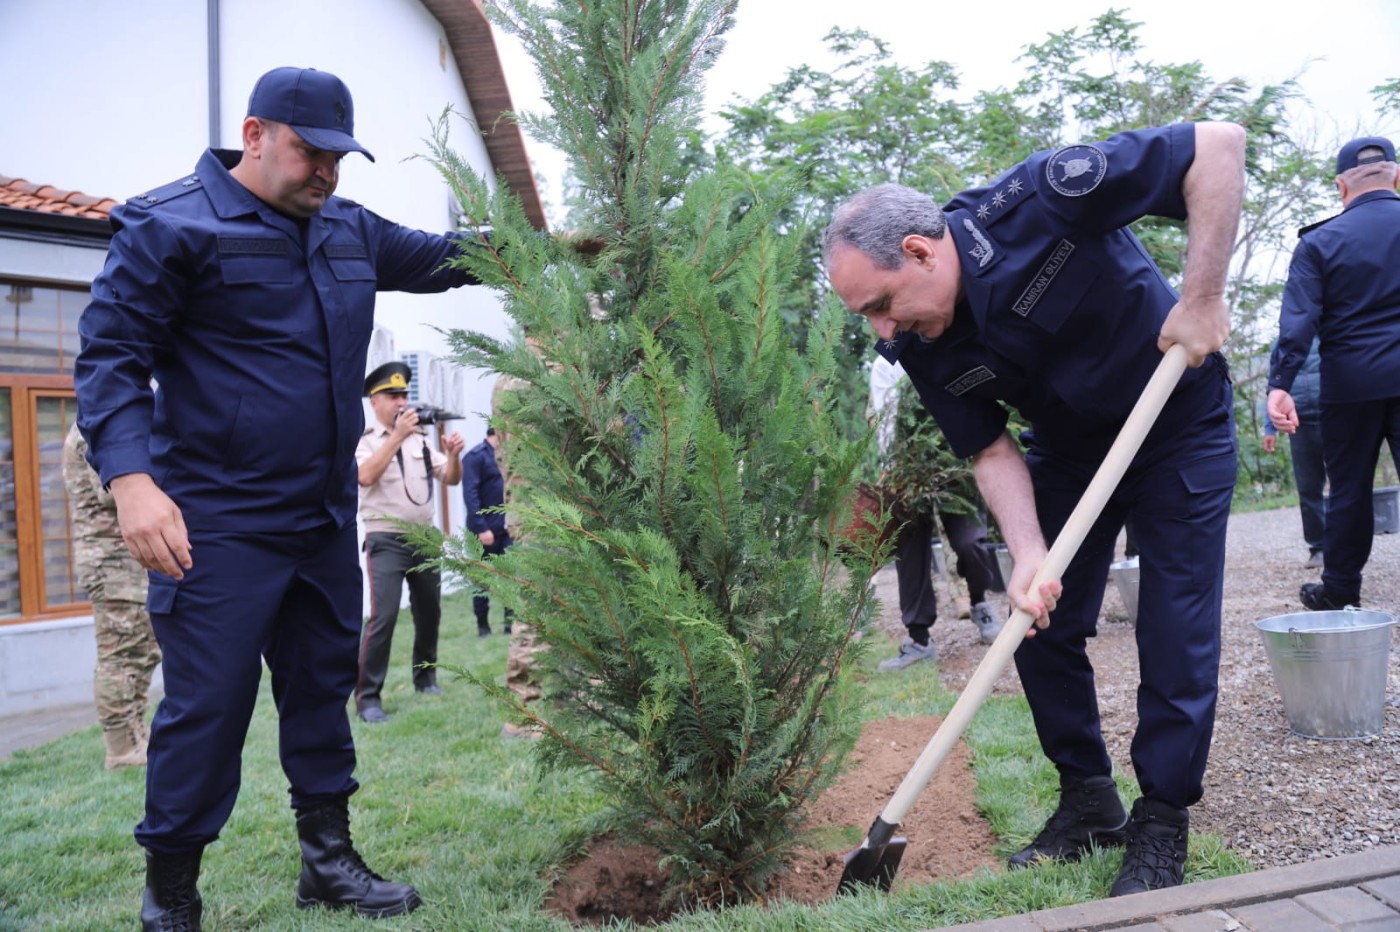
(255, 328)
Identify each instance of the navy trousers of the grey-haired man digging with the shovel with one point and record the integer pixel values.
(1178, 497)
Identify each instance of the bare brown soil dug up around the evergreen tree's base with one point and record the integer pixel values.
(947, 838)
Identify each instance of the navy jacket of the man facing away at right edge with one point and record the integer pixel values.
(1345, 286)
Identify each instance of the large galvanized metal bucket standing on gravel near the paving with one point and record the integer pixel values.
(1331, 670)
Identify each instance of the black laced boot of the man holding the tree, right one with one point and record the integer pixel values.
(335, 875)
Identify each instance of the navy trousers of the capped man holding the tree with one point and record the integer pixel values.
(292, 600)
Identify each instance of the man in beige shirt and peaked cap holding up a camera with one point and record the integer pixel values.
(397, 472)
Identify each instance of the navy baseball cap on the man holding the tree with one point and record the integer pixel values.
(314, 104)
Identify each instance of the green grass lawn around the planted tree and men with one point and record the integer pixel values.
(464, 815)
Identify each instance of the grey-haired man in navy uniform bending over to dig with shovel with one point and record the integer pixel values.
(1032, 292)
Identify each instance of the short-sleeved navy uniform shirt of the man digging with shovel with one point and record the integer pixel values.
(1062, 304)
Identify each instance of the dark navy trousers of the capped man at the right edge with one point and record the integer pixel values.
(1352, 436)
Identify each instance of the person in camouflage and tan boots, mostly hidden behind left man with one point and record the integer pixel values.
(127, 650)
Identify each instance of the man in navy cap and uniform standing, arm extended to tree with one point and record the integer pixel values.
(247, 290)
